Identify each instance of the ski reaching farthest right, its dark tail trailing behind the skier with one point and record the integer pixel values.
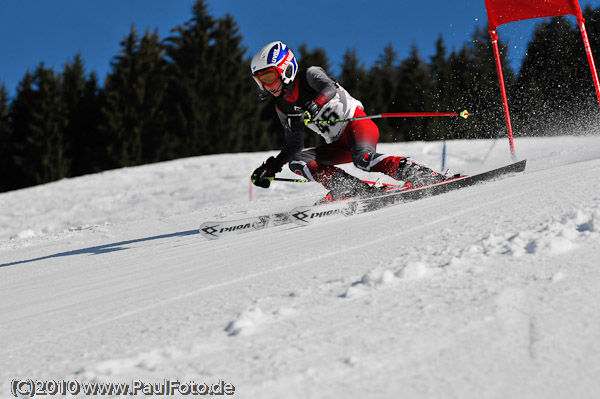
(305, 215)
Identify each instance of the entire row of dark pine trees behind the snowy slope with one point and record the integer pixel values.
(191, 94)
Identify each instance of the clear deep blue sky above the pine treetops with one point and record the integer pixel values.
(32, 31)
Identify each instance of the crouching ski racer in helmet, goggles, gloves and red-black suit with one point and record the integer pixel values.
(303, 96)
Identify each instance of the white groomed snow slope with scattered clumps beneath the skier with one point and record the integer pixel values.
(487, 292)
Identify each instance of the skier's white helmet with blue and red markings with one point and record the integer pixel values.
(278, 56)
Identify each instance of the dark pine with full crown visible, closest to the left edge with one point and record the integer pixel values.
(39, 146)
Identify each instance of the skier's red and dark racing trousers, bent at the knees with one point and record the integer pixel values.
(357, 144)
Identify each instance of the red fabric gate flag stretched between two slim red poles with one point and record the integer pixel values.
(503, 11)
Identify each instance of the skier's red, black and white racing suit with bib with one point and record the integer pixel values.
(347, 142)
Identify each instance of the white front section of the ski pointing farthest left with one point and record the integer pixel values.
(224, 228)
